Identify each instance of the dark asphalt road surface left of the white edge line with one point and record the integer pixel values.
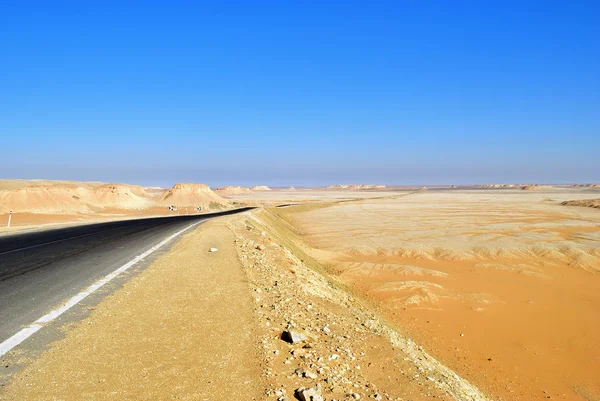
(41, 270)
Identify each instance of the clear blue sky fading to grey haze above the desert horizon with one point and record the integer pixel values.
(302, 93)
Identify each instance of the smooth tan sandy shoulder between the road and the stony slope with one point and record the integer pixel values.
(183, 329)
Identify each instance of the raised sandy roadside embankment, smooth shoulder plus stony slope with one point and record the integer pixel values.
(212, 329)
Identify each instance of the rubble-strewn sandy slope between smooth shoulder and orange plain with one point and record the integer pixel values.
(350, 352)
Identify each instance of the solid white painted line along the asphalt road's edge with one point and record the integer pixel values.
(28, 331)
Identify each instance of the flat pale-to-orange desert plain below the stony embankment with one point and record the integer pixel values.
(503, 285)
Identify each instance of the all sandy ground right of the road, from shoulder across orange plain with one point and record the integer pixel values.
(368, 299)
